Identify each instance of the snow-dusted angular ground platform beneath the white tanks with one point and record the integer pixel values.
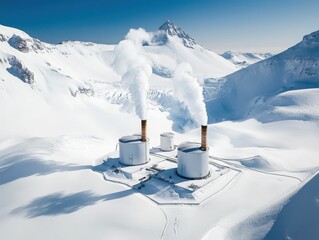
(159, 181)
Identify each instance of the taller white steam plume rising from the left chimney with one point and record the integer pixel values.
(134, 68)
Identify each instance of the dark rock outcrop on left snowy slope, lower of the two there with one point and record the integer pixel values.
(19, 71)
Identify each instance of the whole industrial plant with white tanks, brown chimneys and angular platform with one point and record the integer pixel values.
(169, 173)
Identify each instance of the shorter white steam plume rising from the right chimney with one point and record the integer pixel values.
(188, 91)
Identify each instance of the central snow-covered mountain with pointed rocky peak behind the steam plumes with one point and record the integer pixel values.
(165, 52)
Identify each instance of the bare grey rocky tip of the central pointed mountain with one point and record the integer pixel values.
(172, 30)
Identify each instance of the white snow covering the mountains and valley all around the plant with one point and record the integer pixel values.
(63, 109)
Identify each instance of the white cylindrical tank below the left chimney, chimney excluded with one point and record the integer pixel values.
(133, 151)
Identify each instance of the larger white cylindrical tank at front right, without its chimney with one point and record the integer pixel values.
(192, 162)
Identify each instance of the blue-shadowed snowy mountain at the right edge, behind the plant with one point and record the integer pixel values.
(266, 89)
